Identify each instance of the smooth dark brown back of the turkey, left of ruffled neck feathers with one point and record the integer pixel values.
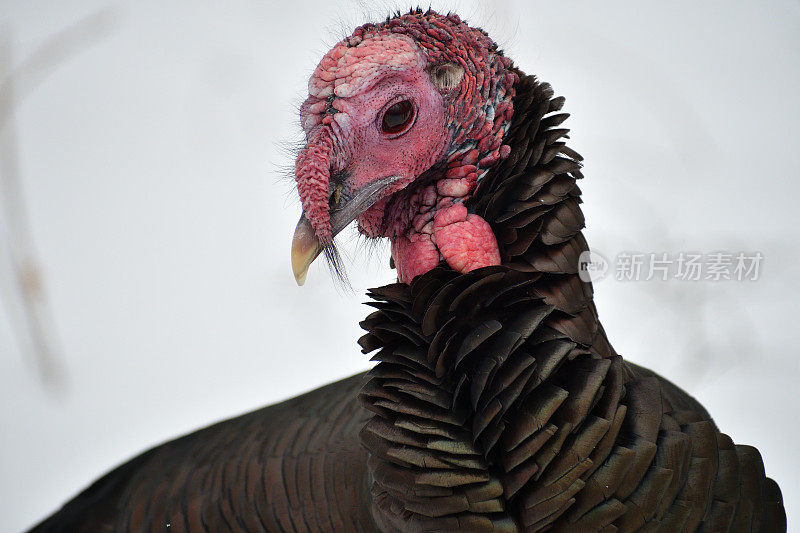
(293, 466)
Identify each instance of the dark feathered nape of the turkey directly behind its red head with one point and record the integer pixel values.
(532, 201)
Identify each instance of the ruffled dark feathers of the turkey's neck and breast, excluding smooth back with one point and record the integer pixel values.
(500, 404)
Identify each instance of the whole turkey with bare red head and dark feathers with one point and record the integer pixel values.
(497, 403)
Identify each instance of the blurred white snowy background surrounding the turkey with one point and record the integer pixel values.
(147, 141)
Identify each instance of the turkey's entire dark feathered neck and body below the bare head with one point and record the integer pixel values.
(497, 404)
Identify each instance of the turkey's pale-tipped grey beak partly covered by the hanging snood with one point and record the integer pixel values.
(344, 208)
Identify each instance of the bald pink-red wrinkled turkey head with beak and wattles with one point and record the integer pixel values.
(402, 121)
